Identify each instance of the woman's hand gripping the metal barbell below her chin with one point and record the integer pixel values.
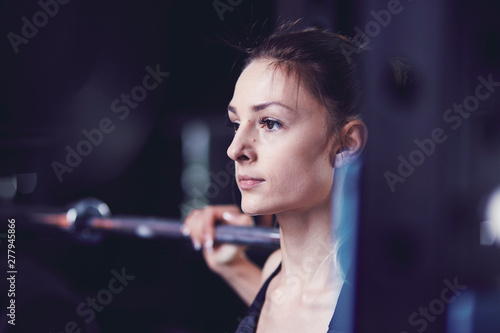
(200, 225)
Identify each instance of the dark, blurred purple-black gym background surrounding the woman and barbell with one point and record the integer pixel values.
(66, 77)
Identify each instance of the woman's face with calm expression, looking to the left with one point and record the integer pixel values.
(282, 150)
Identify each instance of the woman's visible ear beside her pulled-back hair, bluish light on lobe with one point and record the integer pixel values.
(354, 136)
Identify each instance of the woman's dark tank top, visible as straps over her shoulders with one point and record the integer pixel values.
(338, 324)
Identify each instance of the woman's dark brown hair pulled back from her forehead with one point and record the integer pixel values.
(322, 61)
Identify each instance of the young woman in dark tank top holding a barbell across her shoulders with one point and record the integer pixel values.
(295, 122)
